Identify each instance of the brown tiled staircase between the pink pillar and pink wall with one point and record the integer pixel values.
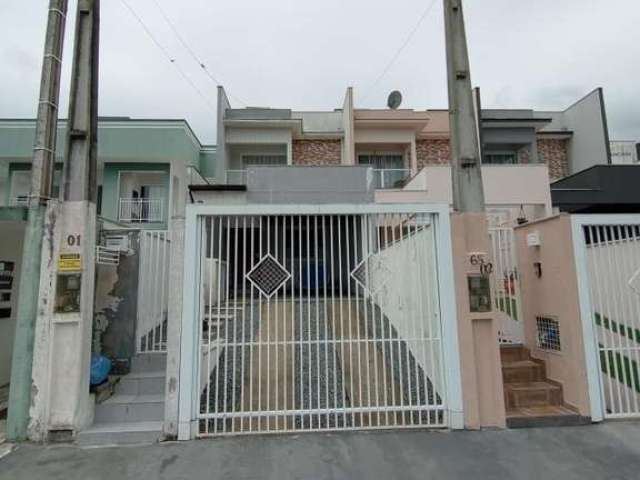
(531, 399)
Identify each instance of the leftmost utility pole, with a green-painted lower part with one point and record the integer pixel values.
(41, 185)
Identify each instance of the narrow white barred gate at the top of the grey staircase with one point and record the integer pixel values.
(153, 291)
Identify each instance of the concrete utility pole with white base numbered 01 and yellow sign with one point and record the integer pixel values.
(71, 315)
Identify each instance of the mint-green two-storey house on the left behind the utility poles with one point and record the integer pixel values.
(144, 166)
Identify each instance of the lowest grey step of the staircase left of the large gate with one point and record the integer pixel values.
(101, 434)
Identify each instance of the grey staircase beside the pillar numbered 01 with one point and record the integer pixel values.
(134, 414)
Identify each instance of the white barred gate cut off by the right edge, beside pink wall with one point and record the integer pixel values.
(608, 262)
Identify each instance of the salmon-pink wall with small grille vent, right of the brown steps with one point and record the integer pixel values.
(555, 294)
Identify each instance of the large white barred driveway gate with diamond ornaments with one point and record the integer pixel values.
(320, 321)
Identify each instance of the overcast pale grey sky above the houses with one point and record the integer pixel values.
(299, 54)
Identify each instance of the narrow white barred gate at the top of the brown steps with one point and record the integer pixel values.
(505, 289)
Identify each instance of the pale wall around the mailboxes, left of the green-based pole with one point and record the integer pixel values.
(10, 250)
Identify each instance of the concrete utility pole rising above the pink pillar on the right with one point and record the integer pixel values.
(468, 194)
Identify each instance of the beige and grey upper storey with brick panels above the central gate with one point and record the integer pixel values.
(408, 151)
